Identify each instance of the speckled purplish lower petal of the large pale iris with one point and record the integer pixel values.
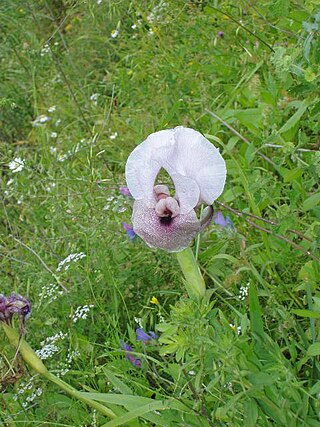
(171, 234)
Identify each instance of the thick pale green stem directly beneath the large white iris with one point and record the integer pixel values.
(195, 284)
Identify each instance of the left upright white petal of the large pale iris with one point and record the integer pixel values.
(145, 162)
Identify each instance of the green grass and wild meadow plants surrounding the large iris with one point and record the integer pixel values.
(253, 92)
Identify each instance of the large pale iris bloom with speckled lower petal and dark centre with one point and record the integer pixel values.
(198, 172)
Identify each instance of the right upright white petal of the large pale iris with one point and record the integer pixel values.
(195, 157)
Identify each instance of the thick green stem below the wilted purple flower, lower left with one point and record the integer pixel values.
(33, 360)
